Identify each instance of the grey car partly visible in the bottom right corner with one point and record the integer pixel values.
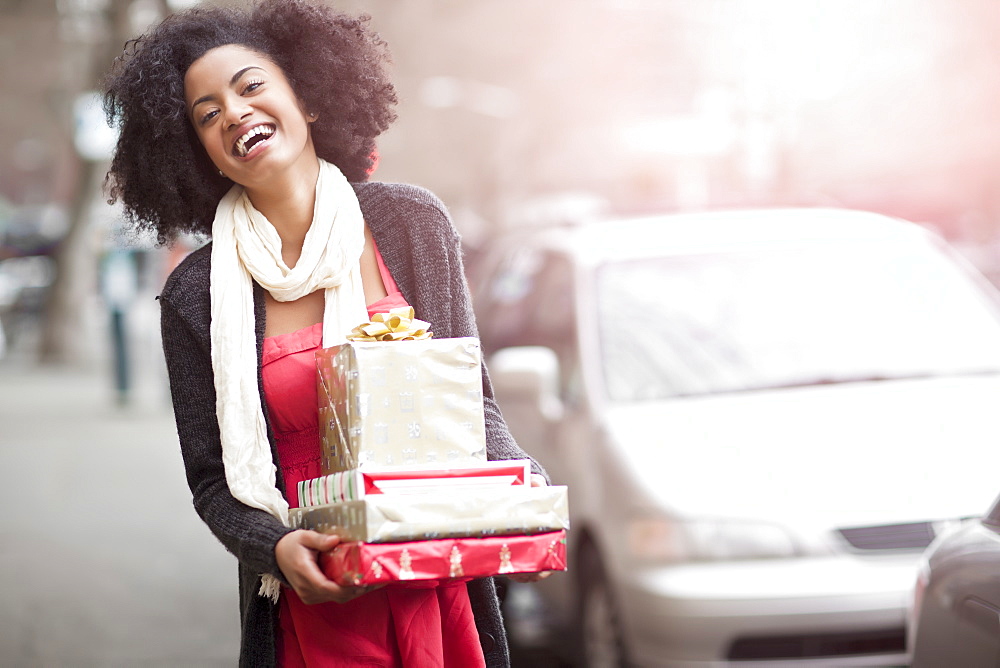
(955, 618)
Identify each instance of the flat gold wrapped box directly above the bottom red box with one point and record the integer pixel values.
(384, 518)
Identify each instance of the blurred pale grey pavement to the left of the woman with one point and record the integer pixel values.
(103, 561)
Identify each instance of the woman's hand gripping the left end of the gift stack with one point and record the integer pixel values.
(297, 554)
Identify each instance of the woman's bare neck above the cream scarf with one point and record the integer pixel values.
(288, 203)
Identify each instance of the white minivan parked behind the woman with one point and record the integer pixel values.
(763, 418)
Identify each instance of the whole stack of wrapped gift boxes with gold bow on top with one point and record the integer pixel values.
(405, 482)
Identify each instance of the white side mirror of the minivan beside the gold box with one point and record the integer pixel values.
(527, 375)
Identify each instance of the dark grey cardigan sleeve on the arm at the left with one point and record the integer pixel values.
(248, 533)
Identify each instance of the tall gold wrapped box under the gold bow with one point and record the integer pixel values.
(401, 404)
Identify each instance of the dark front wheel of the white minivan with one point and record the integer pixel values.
(602, 644)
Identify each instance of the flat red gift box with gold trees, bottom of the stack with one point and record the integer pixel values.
(357, 563)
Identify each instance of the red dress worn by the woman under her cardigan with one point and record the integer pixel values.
(418, 626)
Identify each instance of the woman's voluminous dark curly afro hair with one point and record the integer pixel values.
(160, 172)
